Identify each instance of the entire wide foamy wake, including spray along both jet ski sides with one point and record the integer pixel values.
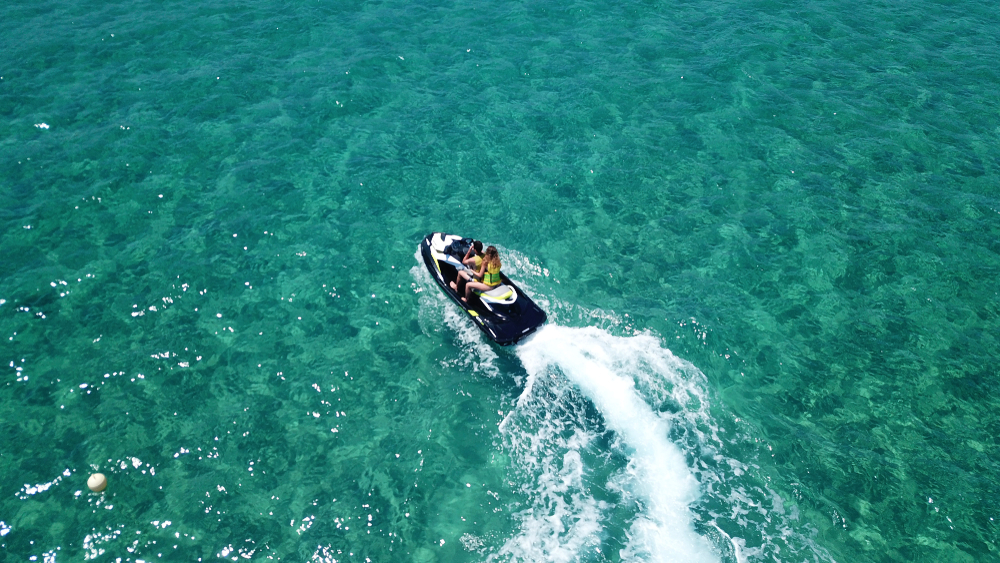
(612, 440)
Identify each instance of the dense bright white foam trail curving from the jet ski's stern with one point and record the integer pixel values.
(565, 520)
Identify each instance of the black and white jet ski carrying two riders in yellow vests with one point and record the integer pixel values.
(504, 314)
